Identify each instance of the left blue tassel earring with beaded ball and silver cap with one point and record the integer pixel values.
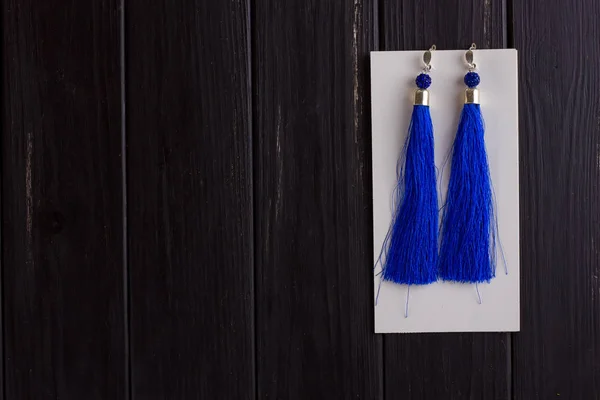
(409, 253)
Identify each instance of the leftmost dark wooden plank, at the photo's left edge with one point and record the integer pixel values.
(62, 201)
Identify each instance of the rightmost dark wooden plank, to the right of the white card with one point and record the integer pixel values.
(557, 352)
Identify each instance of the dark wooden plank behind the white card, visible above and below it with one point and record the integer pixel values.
(445, 366)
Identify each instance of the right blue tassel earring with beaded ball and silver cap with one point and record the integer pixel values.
(468, 247)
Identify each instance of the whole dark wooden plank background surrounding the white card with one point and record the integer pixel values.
(186, 201)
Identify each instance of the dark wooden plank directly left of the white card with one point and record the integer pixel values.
(314, 304)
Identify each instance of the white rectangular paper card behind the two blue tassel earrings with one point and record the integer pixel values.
(444, 306)
